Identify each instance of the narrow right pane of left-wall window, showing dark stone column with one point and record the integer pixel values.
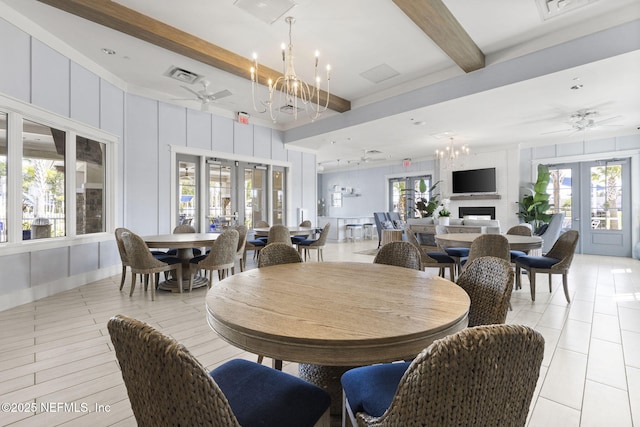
(90, 181)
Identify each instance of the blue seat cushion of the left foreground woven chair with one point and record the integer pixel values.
(261, 396)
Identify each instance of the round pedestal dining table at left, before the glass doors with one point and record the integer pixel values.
(184, 243)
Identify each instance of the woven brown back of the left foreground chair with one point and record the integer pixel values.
(166, 385)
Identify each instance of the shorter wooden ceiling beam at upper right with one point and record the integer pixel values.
(437, 21)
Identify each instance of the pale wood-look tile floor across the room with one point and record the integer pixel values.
(57, 352)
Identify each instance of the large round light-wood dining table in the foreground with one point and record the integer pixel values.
(333, 314)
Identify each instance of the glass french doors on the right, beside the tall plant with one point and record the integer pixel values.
(596, 199)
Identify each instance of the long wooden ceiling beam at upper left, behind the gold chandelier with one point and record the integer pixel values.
(117, 17)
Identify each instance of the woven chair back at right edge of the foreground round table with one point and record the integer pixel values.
(489, 282)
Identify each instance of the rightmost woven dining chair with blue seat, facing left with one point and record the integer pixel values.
(556, 261)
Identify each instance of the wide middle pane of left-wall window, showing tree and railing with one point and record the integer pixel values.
(43, 180)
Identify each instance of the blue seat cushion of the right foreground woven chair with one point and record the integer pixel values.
(371, 389)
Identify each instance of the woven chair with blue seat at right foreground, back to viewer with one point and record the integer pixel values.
(484, 375)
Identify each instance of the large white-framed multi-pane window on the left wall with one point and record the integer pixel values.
(54, 176)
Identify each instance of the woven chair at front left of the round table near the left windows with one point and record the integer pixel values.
(141, 261)
